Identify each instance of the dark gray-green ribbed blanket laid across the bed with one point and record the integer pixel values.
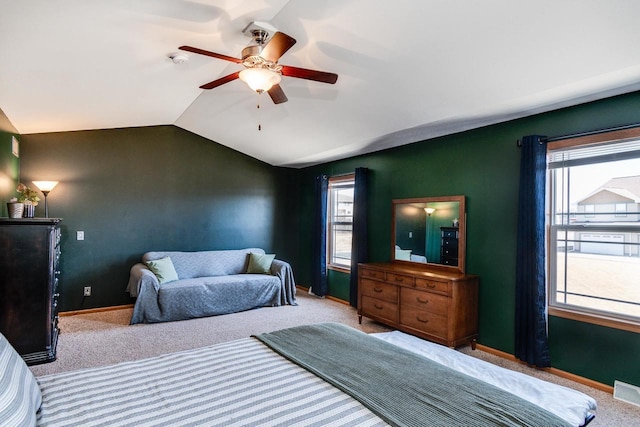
(403, 388)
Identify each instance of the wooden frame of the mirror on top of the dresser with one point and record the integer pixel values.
(462, 231)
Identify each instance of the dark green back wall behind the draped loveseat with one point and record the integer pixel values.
(154, 188)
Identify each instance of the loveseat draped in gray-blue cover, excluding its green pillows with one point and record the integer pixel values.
(209, 283)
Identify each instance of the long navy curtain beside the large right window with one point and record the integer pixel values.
(532, 344)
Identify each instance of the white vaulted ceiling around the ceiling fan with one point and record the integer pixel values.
(408, 70)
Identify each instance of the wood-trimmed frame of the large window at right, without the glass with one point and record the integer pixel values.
(573, 312)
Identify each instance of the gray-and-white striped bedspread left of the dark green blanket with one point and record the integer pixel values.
(241, 383)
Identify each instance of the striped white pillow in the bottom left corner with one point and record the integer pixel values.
(20, 396)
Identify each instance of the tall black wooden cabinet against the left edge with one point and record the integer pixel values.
(29, 279)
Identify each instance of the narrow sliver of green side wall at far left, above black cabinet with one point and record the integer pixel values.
(9, 164)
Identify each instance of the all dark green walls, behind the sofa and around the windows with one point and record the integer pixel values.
(139, 189)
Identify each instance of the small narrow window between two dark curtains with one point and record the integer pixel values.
(340, 218)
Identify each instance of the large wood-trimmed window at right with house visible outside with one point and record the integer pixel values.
(594, 229)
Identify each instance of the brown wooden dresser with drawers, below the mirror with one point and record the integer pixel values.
(431, 303)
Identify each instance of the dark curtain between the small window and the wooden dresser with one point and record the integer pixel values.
(359, 240)
